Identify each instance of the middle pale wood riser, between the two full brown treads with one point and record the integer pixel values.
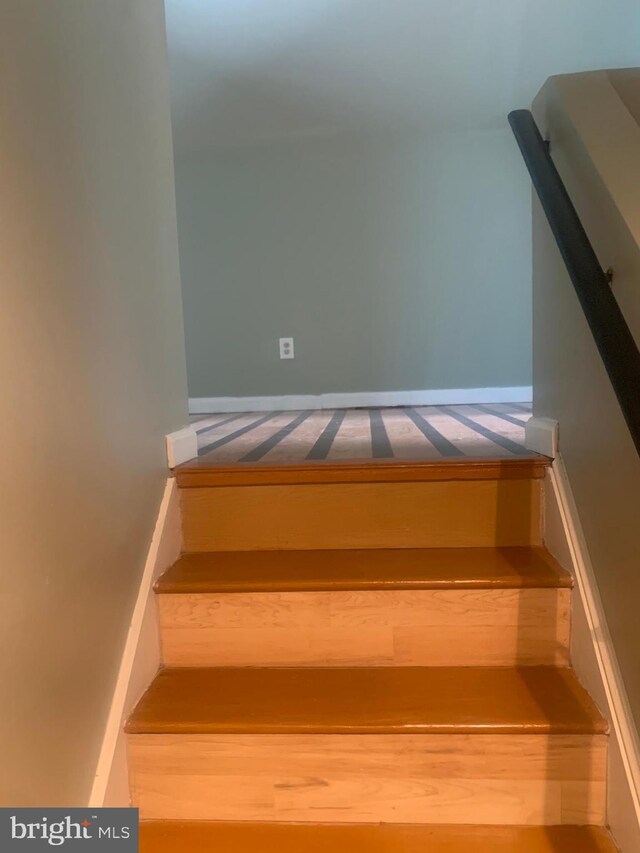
(431, 627)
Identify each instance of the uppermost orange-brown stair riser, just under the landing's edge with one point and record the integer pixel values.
(438, 513)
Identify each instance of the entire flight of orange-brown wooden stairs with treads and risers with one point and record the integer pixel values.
(367, 657)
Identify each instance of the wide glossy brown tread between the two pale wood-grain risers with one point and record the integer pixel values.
(366, 700)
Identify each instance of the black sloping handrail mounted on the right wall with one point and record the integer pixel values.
(616, 344)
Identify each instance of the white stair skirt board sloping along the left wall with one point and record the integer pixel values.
(141, 657)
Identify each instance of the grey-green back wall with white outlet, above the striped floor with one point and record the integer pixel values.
(396, 264)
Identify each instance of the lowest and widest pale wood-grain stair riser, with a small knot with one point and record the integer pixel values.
(527, 779)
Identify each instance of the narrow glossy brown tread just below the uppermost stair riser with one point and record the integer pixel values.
(401, 568)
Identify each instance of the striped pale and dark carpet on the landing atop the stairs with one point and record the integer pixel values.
(482, 431)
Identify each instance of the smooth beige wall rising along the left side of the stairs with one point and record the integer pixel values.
(92, 367)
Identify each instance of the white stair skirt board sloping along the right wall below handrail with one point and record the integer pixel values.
(594, 659)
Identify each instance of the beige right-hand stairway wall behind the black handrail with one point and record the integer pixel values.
(595, 142)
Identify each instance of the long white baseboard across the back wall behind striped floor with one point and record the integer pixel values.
(292, 402)
